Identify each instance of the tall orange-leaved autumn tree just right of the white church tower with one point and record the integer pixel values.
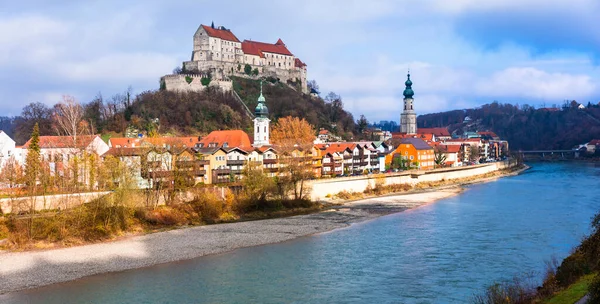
(294, 140)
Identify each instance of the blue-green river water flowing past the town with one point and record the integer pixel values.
(440, 253)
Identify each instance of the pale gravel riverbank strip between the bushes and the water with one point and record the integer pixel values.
(24, 270)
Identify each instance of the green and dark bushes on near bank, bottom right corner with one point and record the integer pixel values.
(575, 277)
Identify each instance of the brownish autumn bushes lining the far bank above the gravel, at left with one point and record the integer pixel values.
(131, 212)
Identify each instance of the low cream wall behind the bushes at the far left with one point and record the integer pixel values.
(59, 201)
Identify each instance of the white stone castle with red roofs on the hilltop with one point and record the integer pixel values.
(219, 53)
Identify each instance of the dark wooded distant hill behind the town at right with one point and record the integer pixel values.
(524, 127)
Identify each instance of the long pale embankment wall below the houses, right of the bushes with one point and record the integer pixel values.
(325, 187)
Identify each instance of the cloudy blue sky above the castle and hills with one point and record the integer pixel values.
(461, 53)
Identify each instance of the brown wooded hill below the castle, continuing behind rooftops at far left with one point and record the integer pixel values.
(190, 113)
